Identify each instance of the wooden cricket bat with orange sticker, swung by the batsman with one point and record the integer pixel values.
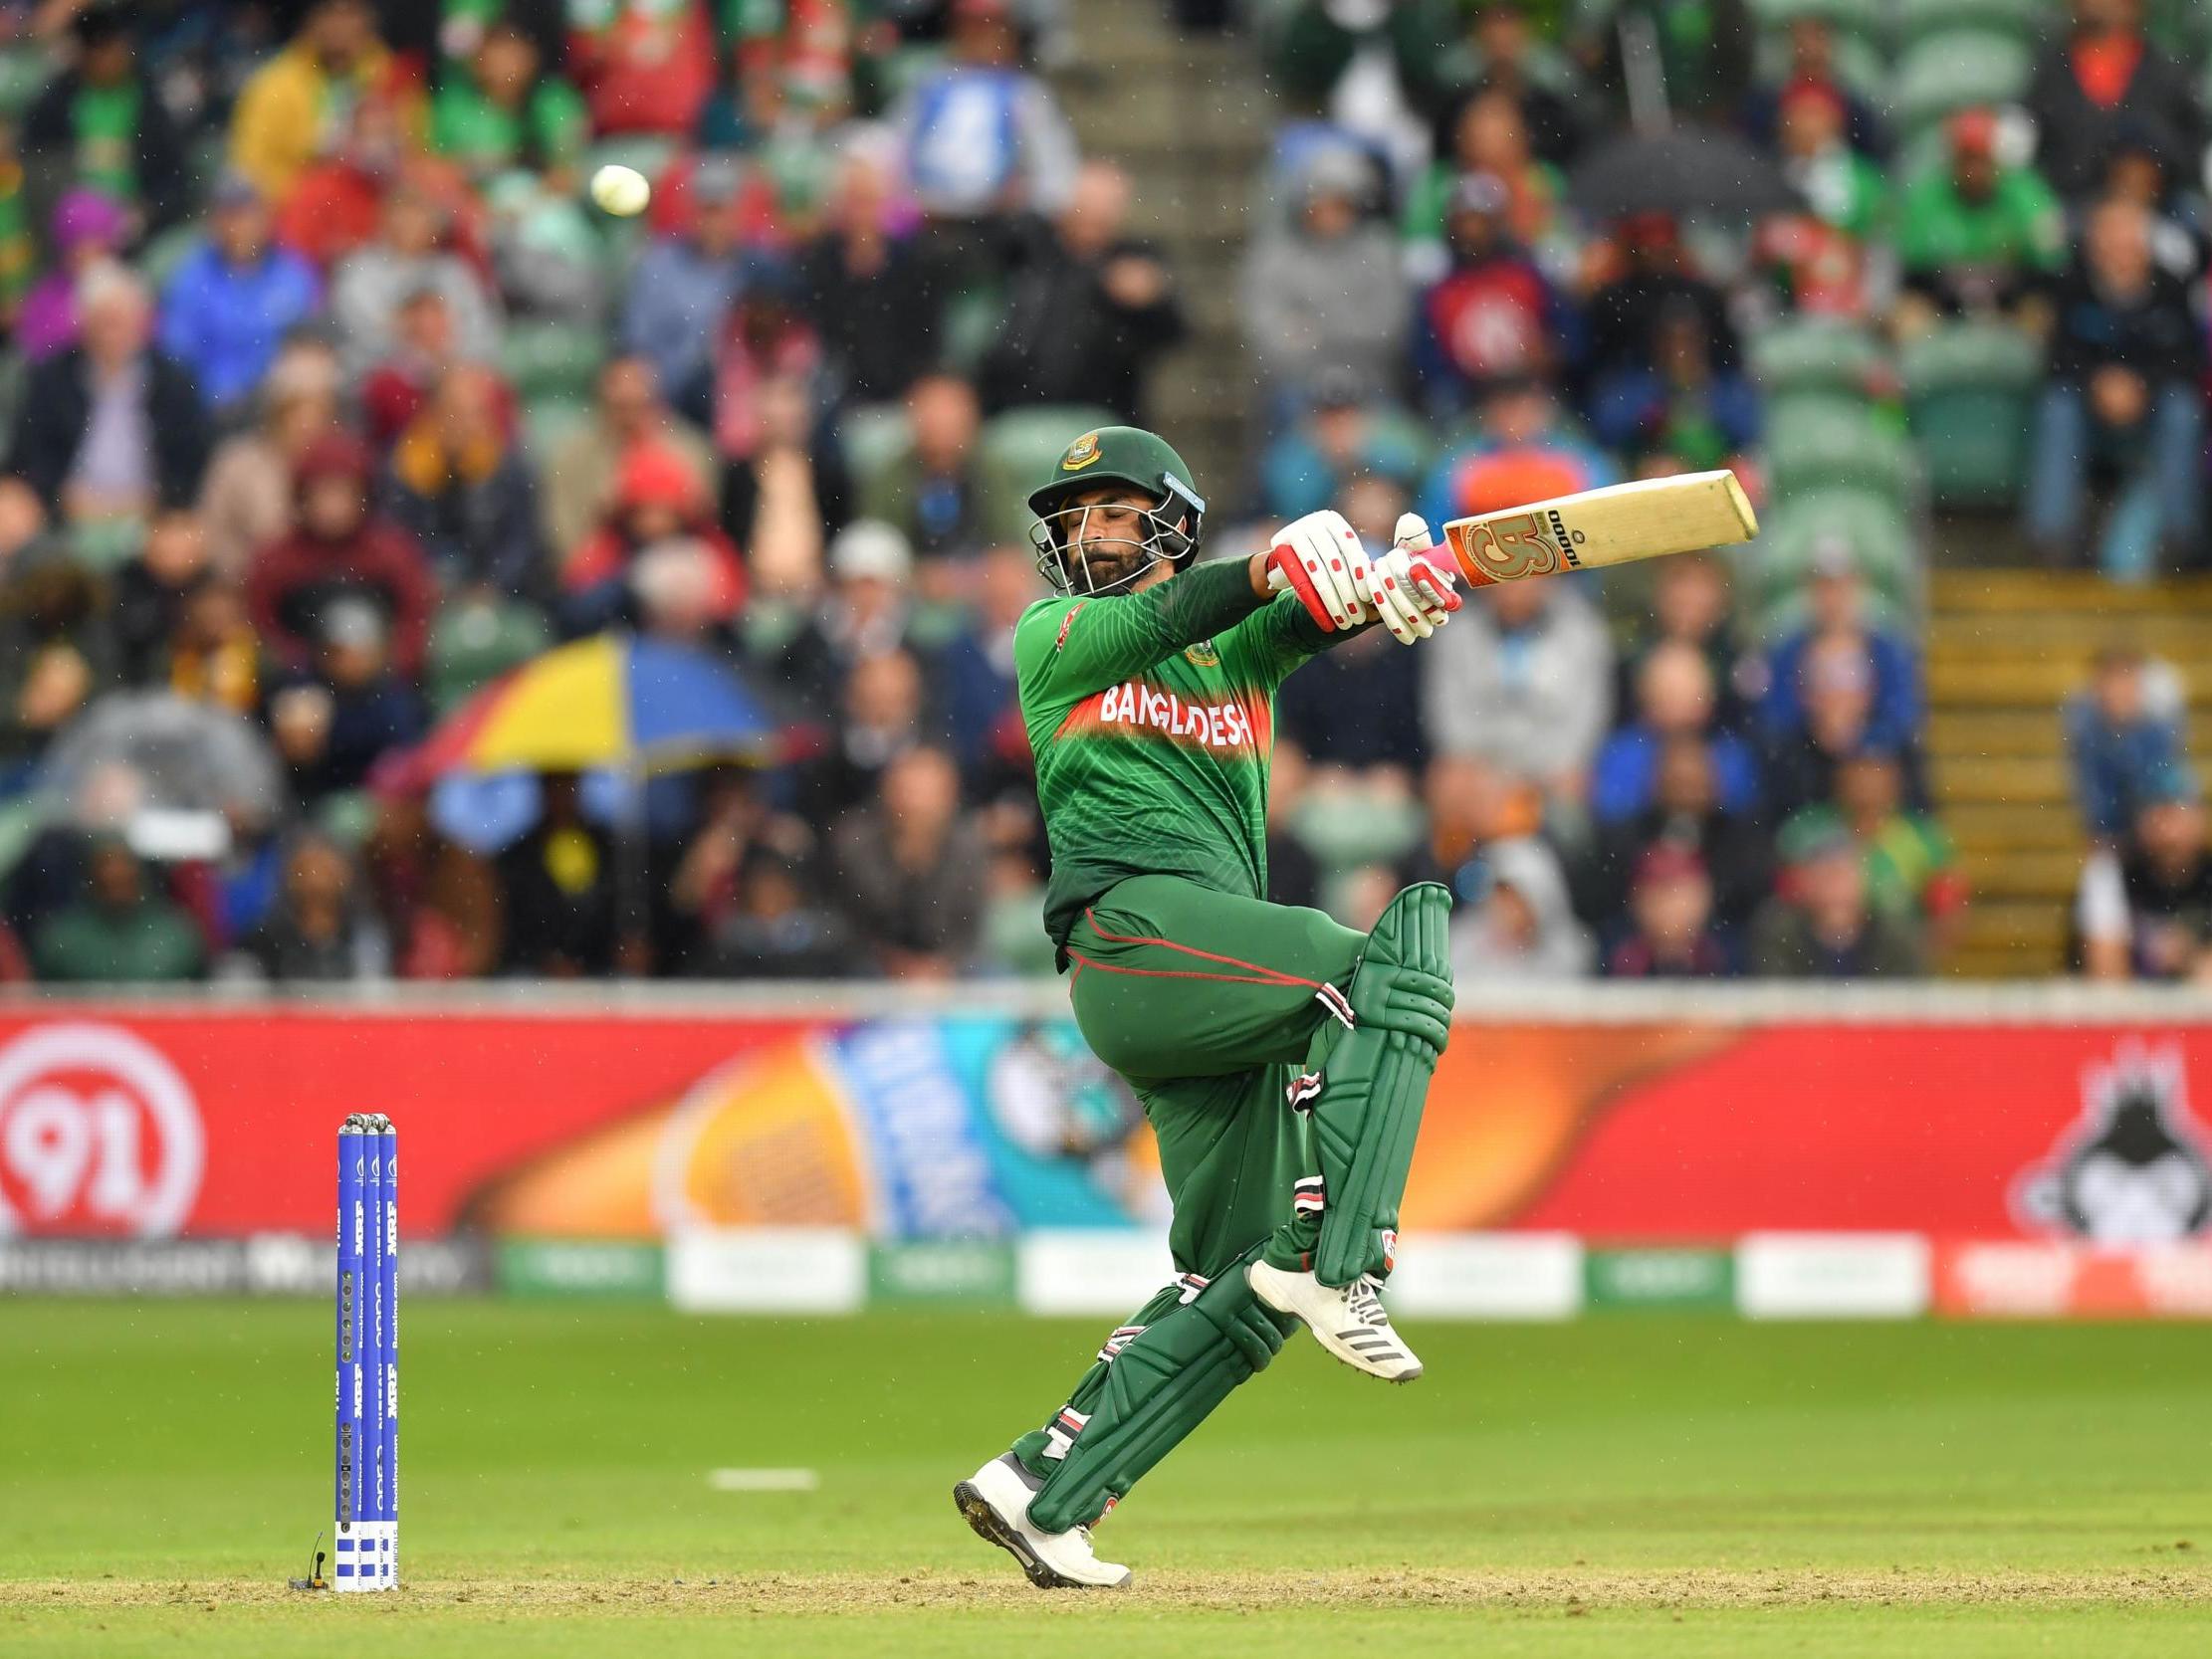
(1598, 528)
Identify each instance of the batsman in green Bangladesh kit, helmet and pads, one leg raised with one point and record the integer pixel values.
(1282, 1058)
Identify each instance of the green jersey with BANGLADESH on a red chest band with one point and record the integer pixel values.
(1151, 718)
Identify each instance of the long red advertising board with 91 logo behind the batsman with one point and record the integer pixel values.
(213, 1120)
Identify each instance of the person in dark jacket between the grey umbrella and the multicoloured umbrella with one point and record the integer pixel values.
(337, 718)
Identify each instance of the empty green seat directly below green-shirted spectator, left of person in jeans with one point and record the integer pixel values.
(1970, 393)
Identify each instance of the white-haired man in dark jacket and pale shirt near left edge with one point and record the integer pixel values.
(112, 428)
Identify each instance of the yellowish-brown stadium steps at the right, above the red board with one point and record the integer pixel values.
(2005, 649)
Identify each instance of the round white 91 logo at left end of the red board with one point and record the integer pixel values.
(98, 1134)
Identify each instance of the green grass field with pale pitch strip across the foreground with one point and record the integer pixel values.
(1656, 1485)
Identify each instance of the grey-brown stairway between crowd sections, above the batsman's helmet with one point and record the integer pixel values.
(1189, 118)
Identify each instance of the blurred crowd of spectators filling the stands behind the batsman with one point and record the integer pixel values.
(331, 401)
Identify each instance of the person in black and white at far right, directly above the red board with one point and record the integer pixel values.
(2145, 910)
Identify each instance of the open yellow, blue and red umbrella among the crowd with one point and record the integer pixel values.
(605, 702)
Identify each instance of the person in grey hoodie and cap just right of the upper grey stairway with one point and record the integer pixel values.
(1324, 291)
